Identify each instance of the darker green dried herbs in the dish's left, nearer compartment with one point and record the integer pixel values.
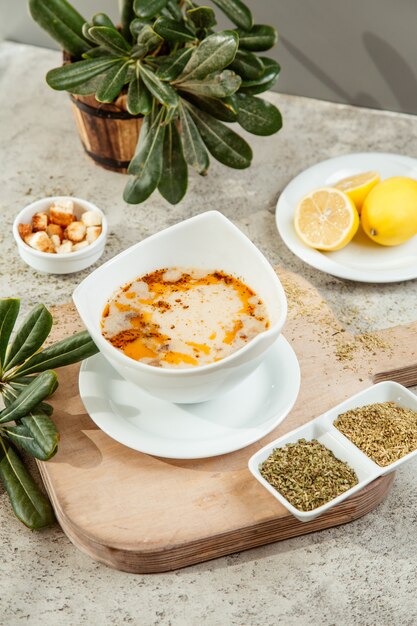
(307, 474)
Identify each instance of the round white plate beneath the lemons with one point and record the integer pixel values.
(362, 259)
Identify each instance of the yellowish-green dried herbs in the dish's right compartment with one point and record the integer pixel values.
(385, 432)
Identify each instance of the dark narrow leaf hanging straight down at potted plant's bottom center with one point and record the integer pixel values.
(174, 178)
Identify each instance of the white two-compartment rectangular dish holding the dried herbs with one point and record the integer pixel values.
(322, 429)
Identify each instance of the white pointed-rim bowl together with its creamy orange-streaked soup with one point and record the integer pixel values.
(187, 313)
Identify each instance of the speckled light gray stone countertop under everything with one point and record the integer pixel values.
(361, 573)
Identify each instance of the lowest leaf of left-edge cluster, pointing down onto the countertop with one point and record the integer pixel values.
(29, 504)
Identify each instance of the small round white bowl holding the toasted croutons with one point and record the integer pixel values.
(59, 263)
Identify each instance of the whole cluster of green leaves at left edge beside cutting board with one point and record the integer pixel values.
(26, 381)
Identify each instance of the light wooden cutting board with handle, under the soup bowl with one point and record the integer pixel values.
(143, 514)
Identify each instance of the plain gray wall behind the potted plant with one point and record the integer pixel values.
(361, 52)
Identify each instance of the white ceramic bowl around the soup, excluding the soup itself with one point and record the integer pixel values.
(208, 241)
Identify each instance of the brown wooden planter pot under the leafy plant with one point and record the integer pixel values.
(108, 133)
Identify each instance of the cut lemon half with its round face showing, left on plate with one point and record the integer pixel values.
(326, 219)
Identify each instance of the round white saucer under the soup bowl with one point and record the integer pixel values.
(236, 419)
